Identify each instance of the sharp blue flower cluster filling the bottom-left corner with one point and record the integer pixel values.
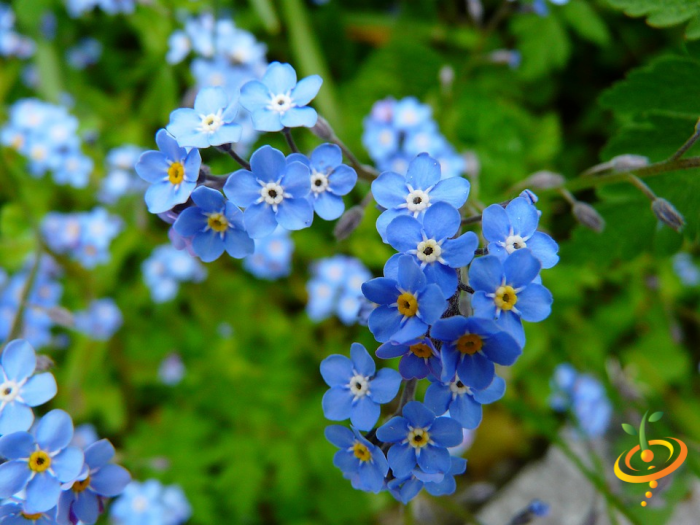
(45, 478)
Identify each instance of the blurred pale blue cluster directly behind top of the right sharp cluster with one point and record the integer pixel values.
(396, 131)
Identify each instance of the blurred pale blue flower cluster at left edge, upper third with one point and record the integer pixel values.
(46, 135)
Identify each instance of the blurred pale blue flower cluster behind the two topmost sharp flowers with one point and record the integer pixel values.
(226, 57)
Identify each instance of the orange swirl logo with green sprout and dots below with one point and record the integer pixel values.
(669, 456)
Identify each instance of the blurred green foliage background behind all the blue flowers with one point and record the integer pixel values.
(243, 432)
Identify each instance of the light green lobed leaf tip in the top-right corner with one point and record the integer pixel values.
(664, 13)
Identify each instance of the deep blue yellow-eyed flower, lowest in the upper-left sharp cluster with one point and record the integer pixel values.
(215, 225)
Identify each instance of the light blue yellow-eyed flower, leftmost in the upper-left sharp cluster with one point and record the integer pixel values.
(172, 173)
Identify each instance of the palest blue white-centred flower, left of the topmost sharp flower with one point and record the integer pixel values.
(210, 123)
